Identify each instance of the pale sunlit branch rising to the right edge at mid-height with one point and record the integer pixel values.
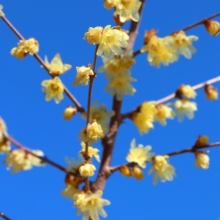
(174, 95)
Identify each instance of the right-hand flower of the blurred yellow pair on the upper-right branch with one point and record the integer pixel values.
(183, 44)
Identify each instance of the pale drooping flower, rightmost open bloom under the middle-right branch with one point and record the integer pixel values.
(184, 107)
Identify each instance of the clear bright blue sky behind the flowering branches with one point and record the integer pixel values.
(59, 27)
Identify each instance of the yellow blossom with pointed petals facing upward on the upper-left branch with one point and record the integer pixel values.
(56, 66)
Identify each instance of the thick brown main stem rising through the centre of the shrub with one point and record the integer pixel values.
(109, 139)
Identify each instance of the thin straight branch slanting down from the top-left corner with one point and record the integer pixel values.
(38, 58)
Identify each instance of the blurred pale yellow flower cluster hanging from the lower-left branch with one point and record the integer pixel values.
(21, 160)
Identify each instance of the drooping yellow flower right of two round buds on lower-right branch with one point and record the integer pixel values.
(162, 169)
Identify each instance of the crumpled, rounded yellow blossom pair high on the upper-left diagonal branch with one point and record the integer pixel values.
(30, 46)
